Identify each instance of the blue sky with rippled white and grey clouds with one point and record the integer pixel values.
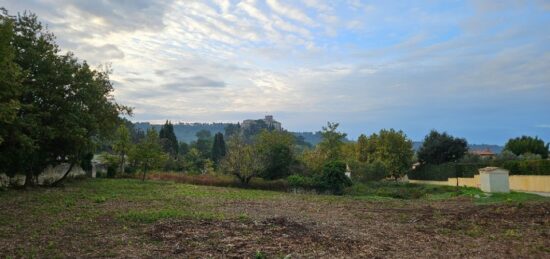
(476, 69)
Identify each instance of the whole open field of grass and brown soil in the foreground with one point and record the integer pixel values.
(128, 218)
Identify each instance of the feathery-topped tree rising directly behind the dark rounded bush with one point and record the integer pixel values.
(332, 141)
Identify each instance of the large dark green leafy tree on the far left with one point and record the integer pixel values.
(64, 106)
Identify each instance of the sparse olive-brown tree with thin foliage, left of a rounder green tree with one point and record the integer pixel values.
(242, 160)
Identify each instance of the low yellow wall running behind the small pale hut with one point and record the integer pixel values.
(523, 183)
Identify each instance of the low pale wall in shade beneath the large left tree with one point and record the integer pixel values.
(48, 176)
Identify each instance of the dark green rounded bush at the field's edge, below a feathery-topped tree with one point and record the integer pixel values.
(334, 177)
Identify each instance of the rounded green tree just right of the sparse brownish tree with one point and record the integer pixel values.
(276, 151)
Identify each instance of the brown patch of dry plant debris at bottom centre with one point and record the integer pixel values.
(244, 238)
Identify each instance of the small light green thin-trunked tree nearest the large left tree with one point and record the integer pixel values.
(148, 153)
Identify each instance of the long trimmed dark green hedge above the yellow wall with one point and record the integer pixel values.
(450, 170)
